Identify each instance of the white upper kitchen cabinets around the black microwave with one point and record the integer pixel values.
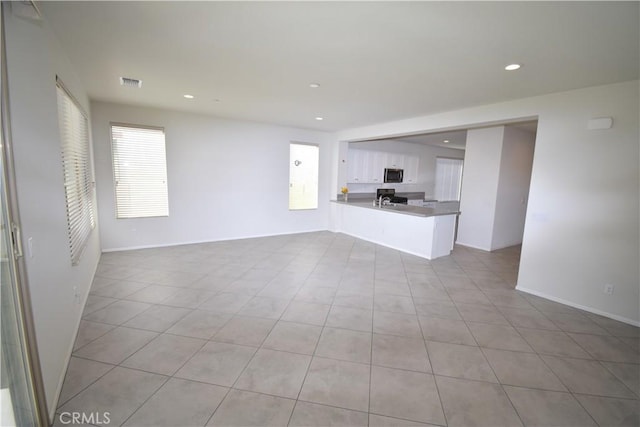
(367, 167)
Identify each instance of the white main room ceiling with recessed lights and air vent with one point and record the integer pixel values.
(375, 61)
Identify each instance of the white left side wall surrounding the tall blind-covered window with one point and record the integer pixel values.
(34, 59)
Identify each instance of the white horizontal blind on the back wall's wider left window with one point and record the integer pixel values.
(140, 171)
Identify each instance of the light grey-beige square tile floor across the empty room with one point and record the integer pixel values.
(324, 329)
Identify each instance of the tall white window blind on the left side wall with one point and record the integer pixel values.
(76, 165)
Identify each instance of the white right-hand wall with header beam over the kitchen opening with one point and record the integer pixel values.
(582, 223)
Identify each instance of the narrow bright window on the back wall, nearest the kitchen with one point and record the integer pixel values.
(303, 176)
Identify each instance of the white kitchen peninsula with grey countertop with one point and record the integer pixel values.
(427, 232)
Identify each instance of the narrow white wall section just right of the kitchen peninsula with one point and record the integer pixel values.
(481, 176)
